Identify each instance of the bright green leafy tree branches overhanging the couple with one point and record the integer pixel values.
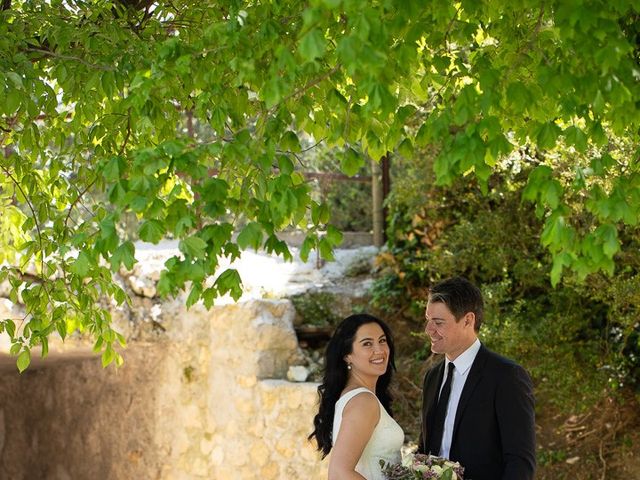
(99, 98)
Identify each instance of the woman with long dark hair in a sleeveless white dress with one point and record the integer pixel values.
(354, 417)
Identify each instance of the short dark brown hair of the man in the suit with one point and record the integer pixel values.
(460, 296)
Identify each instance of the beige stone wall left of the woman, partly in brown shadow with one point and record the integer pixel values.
(205, 399)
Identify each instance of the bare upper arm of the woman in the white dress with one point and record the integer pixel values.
(359, 418)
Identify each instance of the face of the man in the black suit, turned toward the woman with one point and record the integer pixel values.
(448, 335)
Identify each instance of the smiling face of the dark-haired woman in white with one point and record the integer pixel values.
(370, 351)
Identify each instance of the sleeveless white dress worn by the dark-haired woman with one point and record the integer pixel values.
(385, 441)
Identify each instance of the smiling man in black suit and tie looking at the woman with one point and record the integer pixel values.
(477, 407)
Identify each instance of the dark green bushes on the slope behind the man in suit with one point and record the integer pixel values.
(579, 339)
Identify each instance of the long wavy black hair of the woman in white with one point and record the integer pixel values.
(336, 374)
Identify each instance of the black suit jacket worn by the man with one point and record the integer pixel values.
(494, 427)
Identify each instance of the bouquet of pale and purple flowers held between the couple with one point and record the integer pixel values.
(422, 467)
